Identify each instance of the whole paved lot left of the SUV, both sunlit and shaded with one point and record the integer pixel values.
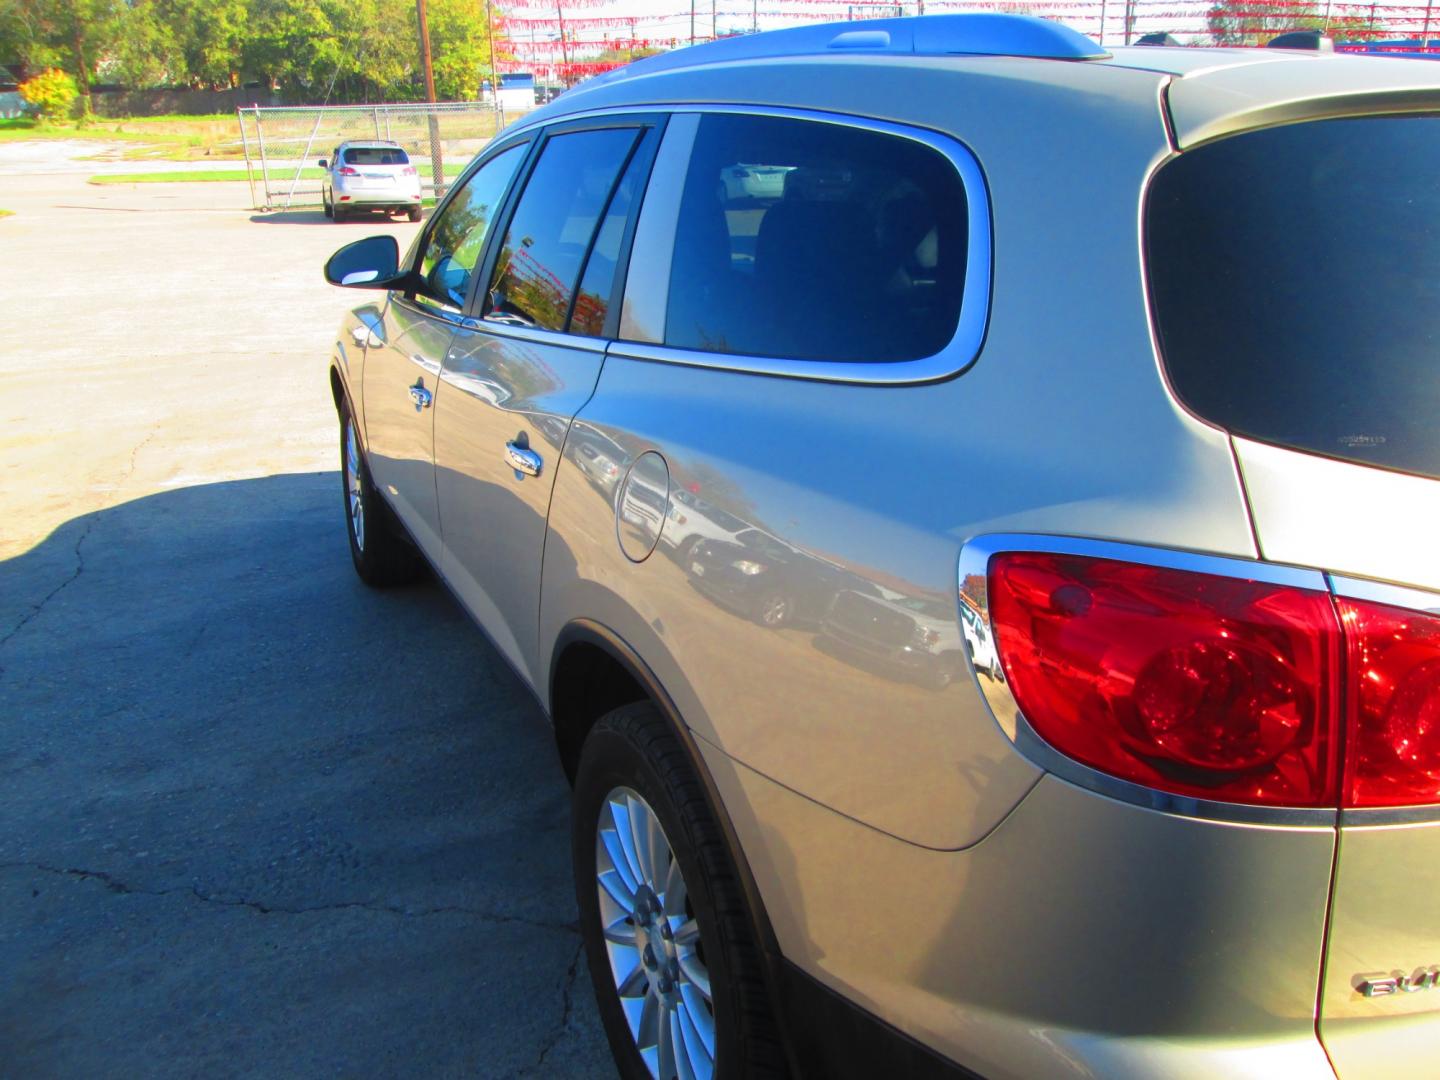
(257, 819)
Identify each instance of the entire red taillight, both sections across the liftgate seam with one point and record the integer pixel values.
(1222, 688)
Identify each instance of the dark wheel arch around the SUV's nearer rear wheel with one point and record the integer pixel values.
(595, 670)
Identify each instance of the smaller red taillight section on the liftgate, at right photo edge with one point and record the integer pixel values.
(1393, 754)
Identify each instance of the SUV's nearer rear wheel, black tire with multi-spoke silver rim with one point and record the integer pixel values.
(667, 934)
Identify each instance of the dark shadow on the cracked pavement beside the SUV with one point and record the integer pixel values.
(264, 820)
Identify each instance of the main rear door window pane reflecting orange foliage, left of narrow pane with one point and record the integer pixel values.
(554, 227)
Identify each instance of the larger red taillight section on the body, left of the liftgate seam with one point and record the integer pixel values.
(1190, 683)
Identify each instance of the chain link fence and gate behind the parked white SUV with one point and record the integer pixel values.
(283, 146)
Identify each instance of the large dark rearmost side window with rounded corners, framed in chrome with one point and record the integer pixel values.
(817, 241)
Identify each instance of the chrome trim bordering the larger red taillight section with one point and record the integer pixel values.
(974, 564)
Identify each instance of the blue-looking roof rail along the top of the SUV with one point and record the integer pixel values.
(927, 35)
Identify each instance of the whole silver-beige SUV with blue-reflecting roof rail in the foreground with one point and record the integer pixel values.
(967, 502)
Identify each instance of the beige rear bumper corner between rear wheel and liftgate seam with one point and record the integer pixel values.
(1081, 938)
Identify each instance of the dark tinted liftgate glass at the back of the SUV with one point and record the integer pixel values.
(1295, 277)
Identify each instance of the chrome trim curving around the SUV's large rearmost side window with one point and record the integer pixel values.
(976, 302)
